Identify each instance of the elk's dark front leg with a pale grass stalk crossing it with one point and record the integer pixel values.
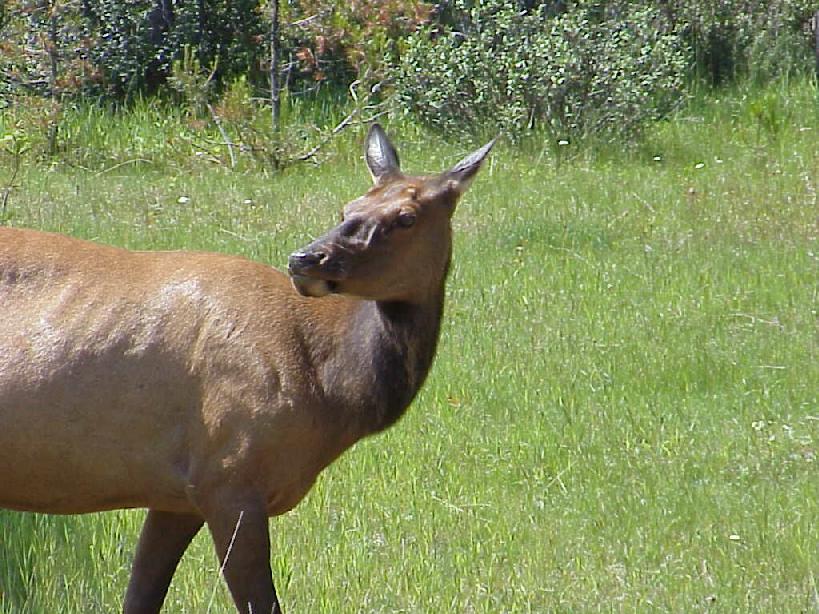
(240, 534)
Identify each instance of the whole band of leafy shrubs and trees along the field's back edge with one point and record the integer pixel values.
(563, 69)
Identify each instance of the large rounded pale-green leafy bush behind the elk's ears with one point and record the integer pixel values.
(569, 73)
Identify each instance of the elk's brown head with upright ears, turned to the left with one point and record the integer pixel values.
(393, 243)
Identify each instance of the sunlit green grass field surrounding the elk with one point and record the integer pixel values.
(624, 411)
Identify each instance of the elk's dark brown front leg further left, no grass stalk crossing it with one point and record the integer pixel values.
(163, 540)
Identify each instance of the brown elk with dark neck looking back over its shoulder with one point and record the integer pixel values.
(211, 389)
